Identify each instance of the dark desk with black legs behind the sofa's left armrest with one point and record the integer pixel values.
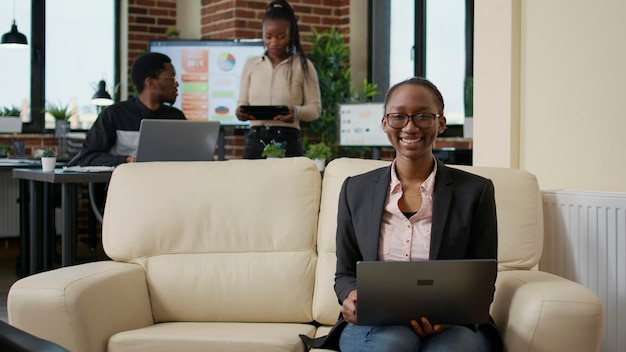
(35, 185)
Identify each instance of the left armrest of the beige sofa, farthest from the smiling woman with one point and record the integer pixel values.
(80, 307)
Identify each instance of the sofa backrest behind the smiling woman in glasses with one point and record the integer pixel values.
(518, 206)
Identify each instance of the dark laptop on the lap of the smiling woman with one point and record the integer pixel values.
(444, 291)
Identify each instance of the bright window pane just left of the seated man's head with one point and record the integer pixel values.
(79, 53)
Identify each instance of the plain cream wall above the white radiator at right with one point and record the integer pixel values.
(550, 90)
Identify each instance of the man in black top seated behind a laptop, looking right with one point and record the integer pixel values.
(112, 140)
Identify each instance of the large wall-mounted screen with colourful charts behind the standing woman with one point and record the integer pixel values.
(209, 74)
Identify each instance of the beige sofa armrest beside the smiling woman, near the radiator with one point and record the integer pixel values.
(539, 311)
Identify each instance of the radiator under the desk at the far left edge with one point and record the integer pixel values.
(9, 208)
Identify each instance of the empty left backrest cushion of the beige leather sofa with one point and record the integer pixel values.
(219, 241)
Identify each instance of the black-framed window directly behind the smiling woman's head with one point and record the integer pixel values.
(425, 38)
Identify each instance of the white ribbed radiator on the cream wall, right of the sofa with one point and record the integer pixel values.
(585, 241)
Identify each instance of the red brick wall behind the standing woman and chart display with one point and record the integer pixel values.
(230, 19)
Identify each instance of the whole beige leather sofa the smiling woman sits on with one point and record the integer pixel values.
(239, 256)
